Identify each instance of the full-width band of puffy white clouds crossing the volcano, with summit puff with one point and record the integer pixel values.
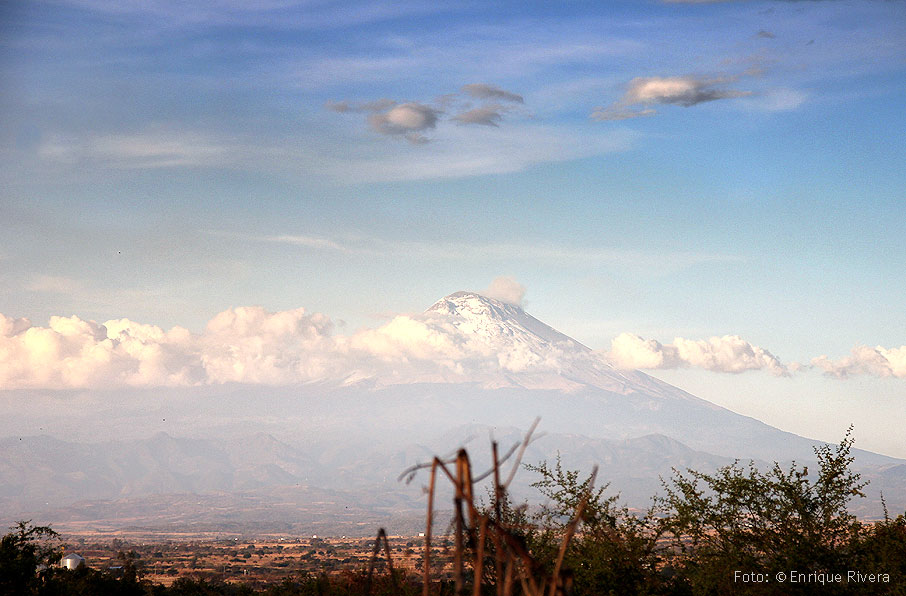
(256, 346)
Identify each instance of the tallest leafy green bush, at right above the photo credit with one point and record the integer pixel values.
(744, 520)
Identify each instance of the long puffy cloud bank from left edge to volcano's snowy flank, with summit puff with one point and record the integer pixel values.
(250, 345)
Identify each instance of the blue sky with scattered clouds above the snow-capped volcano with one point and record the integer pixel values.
(710, 191)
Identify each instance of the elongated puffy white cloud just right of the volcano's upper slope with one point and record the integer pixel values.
(729, 354)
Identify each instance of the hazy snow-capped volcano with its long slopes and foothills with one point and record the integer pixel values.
(326, 456)
